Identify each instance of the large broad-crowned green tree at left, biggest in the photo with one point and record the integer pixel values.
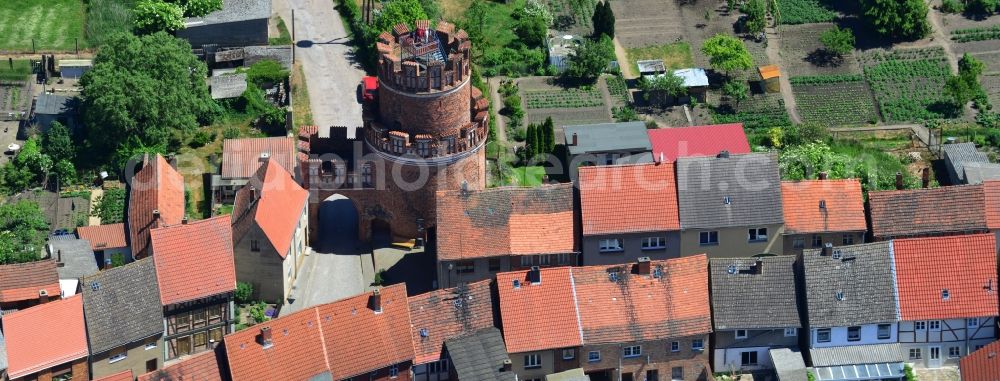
(144, 88)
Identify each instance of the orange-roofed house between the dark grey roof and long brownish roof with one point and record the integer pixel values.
(822, 211)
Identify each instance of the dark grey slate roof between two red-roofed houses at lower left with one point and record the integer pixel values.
(124, 308)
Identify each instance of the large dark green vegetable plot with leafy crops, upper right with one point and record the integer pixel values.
(907, 84)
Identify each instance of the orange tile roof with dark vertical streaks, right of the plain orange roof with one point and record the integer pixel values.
(640, 307)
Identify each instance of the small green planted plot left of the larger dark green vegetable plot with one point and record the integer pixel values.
(840, 101)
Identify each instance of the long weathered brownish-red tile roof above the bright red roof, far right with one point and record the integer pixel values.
(951, 209)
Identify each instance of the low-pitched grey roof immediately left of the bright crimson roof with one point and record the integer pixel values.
(604, 137)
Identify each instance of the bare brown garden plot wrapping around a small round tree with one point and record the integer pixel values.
(801, 51)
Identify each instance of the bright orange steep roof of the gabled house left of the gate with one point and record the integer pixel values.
(279, 207)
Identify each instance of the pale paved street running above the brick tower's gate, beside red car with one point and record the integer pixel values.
(322, 47)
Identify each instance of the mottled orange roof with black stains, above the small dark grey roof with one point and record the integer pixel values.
(446, 314)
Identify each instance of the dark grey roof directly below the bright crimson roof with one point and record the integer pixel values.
(751, 181)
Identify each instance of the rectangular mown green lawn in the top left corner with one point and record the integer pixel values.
(54, 25)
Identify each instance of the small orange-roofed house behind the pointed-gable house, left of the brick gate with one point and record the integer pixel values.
(241, 158)
